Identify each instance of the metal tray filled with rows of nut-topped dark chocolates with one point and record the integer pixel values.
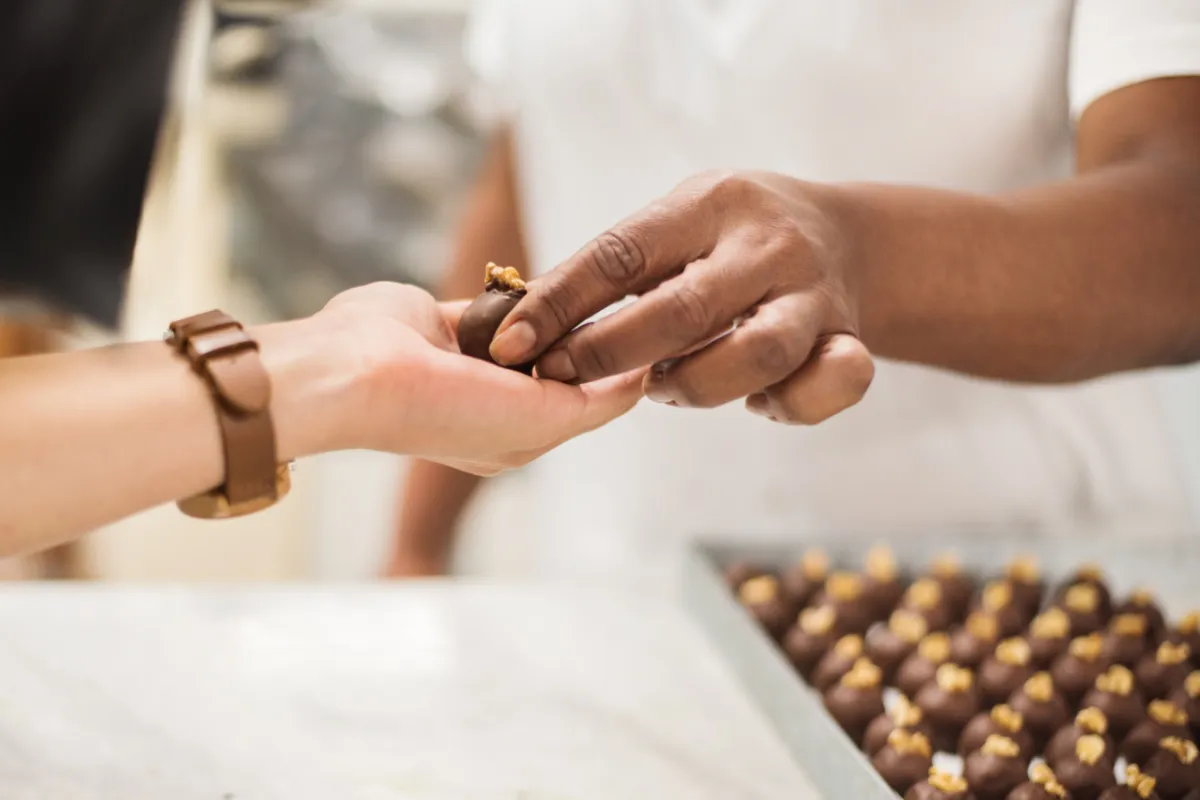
(974, 669)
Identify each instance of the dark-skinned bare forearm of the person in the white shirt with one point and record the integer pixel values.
(1065, 282)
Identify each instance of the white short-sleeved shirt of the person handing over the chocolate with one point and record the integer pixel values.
(617, 101)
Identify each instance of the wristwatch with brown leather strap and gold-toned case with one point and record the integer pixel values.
(225, 356)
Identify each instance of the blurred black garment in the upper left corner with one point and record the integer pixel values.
(83, 92)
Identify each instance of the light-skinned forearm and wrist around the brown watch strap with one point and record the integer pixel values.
(99, 435)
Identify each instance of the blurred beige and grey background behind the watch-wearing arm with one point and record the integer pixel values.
(302, 155)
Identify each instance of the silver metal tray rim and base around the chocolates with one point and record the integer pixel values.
(830, 759)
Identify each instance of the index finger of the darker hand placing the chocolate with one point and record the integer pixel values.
(637, 255)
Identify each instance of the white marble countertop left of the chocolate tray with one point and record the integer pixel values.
(431, 691)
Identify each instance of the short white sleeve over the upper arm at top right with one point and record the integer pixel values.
(1121, 43)
